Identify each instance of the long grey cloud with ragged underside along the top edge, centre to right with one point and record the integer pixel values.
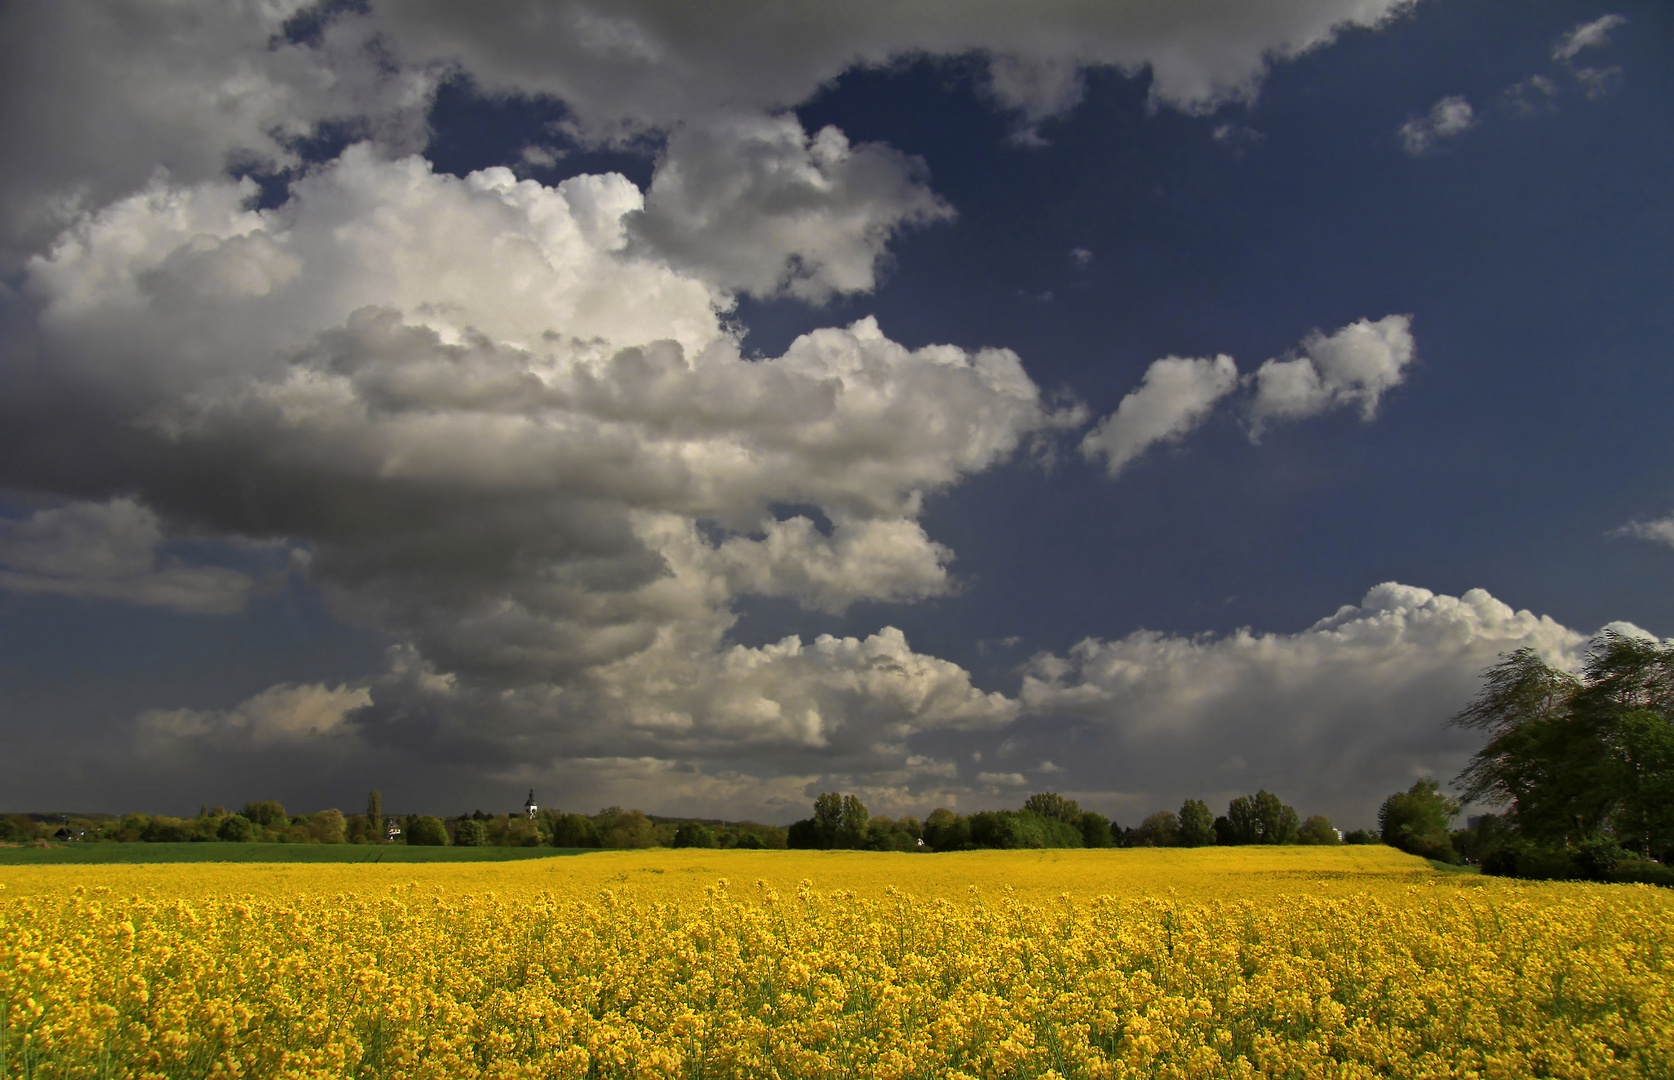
(650, 66)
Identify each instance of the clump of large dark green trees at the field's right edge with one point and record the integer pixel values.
(1583, 768)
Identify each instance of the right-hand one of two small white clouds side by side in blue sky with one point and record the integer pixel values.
(1357, 366)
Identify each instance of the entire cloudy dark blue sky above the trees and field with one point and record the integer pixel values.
(701, 408)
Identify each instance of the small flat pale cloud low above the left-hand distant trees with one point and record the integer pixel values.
(280, 716)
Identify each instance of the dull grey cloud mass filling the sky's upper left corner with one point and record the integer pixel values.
(96, 96)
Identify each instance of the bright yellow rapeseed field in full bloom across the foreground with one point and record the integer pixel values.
(1071, 964)
